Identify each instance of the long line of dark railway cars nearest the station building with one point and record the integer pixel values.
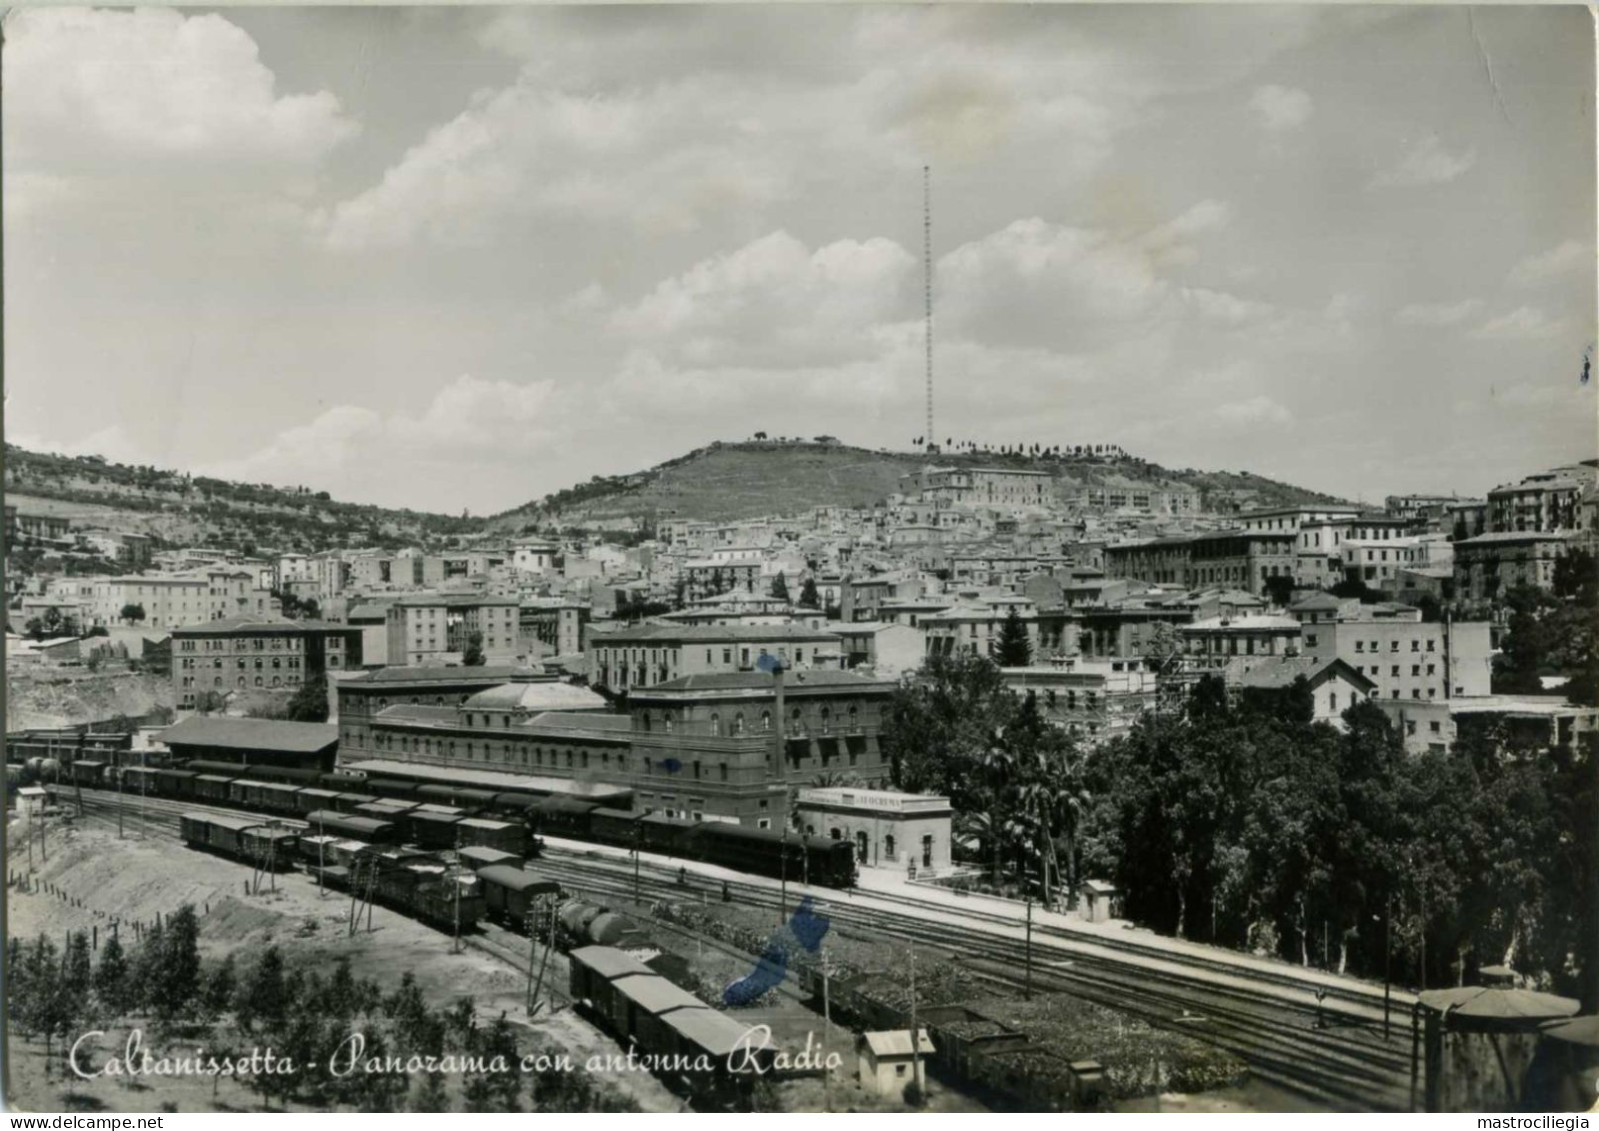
(455, 817)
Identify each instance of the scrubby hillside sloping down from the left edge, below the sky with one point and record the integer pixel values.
(191, 510)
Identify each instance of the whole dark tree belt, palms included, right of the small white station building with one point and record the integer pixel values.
(1246, 823)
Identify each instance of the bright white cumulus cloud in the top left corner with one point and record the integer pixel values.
(105, 87)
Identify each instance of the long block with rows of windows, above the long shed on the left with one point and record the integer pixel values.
(247, 653)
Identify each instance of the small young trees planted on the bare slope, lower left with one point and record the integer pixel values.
(293, 1009)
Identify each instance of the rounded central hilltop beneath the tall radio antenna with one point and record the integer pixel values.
(727, 482)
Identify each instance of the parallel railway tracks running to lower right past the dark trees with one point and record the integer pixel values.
(1269, 1020)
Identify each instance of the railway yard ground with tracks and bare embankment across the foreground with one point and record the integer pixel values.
(1173, 1028)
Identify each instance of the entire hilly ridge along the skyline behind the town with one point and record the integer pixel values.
(720, 482)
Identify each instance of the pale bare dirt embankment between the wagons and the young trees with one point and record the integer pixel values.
(94, 877)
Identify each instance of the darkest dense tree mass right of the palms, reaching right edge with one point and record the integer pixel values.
(1248, 825)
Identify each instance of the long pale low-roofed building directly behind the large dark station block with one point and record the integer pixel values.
(629, 660)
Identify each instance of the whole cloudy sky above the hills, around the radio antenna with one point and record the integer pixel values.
(461, 258)
